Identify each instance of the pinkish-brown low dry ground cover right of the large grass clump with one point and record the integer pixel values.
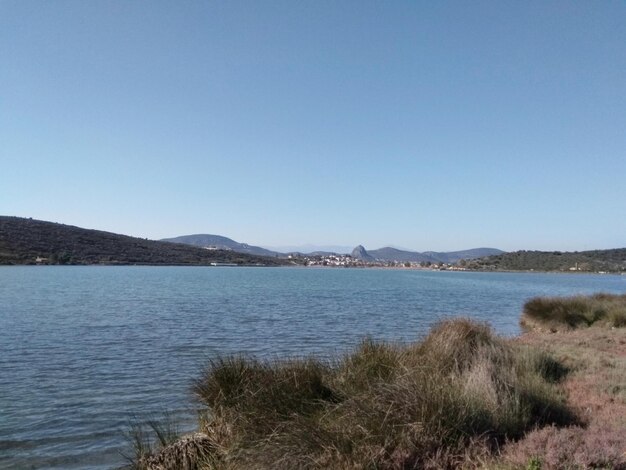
(596, 391)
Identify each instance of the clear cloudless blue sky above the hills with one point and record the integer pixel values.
(425, 125)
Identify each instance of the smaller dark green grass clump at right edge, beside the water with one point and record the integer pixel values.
(558, 313)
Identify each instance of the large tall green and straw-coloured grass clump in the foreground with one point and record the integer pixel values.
(460, 392)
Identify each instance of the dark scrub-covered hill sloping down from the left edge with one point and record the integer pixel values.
(22, 241)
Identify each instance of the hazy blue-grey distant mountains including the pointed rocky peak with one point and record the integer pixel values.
(394, 254)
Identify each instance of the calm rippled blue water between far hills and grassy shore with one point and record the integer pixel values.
(84, 349)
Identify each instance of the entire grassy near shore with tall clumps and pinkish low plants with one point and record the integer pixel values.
(460, 398)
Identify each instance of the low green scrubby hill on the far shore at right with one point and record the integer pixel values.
(613, 260)
